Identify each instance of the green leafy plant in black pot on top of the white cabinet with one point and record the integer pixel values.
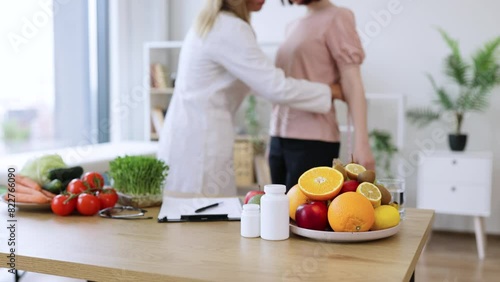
(474, 81)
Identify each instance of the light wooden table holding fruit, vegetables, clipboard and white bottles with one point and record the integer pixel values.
(99, 249)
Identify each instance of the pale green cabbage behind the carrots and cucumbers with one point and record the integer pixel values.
(37, 169)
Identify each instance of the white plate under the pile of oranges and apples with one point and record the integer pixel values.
(331, 236)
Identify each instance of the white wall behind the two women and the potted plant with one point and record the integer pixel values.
(400, 49)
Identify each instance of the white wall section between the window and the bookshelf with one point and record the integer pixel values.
(132, 23)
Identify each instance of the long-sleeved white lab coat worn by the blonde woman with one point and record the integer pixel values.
(214, 75)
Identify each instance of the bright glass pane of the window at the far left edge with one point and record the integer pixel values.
(26, 76)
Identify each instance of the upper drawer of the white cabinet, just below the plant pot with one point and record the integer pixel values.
(463, 170)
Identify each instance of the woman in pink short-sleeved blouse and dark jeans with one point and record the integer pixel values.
(322, 46)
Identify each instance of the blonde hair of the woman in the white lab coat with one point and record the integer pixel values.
(208, 15)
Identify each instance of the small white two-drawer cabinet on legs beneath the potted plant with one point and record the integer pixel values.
(457, 183)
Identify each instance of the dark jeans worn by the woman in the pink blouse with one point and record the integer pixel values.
(289, 158)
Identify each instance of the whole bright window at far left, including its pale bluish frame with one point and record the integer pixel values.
(53, 74)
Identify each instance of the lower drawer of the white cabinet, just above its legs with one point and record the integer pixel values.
(455, 198)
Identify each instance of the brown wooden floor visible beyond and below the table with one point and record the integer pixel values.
(448, 257)
